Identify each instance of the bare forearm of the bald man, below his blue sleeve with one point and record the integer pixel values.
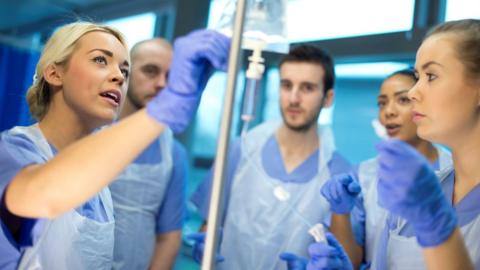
(166, 250)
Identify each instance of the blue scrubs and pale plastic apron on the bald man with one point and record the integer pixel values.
(149, 199)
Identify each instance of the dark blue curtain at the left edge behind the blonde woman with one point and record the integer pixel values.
(17, 67)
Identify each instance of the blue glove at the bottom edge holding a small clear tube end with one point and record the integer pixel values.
(329, 255)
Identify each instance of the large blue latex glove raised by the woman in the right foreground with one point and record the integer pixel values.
(408, 187)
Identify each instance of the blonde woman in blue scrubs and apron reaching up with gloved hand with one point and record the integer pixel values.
(55, 207)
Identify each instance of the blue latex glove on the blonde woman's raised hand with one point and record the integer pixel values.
(195, 58)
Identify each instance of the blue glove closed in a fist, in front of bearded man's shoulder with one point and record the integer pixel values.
(341, 191)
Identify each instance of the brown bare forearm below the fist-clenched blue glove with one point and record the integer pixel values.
(341, 227)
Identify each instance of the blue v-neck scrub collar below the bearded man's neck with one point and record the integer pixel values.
(275, 167)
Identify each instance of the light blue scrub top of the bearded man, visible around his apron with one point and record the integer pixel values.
(272, 164)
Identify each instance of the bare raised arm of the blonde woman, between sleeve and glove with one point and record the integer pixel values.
(80, 170)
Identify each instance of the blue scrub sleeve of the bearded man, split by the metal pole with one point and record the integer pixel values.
(201, 197)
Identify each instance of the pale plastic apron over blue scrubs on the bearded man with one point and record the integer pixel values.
(252, 208)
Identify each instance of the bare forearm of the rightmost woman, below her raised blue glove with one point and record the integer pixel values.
(452, 254)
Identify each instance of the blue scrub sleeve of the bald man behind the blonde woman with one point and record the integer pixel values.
(171, 214)
